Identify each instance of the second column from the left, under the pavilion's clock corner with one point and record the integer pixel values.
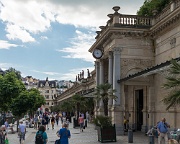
(101, 81)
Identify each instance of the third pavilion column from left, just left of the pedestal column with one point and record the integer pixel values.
(110, 81)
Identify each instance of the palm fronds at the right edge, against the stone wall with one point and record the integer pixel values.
(173, 84)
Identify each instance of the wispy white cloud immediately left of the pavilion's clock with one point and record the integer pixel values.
(79, 46)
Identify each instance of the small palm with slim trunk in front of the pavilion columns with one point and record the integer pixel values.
(104, 92)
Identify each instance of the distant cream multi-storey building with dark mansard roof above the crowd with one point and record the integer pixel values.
(49, 90)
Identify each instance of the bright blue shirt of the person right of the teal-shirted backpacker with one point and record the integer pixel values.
(64, 135)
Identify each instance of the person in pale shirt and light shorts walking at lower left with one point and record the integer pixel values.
(22, 132)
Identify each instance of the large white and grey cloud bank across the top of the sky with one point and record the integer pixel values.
(28, 17)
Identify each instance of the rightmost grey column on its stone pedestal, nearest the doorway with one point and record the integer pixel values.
(117, 110)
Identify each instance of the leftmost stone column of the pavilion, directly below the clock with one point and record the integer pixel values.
(97, 67)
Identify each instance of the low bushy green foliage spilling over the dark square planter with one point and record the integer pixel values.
(102, 121)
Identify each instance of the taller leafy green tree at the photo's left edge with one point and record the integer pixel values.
(10, 88)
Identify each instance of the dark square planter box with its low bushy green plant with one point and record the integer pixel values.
(106, 131)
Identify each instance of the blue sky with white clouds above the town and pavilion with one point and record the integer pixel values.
(51, 38)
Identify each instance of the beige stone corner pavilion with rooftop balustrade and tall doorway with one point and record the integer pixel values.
(132, 44)
